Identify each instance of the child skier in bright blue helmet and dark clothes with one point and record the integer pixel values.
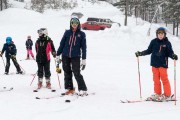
(10, 53)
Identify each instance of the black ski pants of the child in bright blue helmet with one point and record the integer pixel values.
(8, 64)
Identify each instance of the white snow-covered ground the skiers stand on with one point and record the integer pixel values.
(111, 71)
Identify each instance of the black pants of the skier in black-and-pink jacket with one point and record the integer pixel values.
(44, 68)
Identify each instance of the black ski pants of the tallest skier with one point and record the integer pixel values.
(72, 65)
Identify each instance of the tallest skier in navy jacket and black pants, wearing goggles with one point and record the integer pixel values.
(71, 45)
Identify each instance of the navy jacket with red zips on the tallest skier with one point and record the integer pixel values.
(73, 44)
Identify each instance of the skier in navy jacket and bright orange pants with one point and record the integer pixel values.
(160, 49)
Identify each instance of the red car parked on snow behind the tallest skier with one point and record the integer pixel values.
(92, 25)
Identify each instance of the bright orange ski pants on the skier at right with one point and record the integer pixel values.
(161, 74)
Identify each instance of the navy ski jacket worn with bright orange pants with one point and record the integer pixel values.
(161, 50)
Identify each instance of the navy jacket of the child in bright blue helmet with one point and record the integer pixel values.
(9, 49)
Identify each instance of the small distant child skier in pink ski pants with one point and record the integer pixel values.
(29, 44)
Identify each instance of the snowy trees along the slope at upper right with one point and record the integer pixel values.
(153, 11)
